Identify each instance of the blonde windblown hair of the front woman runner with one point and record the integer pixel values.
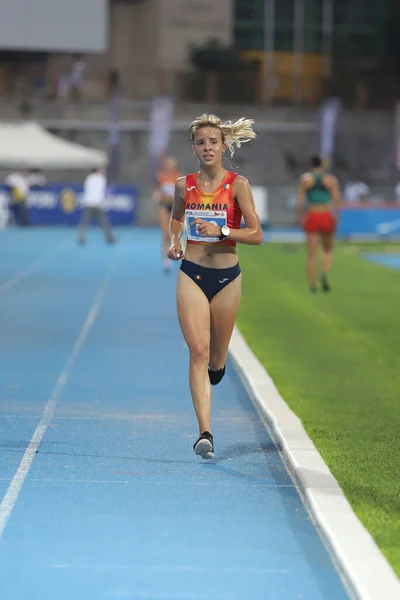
(234, 133)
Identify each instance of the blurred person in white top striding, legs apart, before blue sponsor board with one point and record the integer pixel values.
(94, 195)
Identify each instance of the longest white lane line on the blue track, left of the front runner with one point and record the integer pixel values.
(12, 493)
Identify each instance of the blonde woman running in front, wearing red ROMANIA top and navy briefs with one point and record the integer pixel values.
(212, 201)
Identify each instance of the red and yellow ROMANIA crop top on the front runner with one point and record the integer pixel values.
(219, 208)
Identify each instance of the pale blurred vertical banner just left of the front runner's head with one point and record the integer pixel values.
(160, 125)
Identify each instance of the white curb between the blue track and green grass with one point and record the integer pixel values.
(363, 567)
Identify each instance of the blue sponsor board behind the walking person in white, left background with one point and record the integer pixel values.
(60, 204)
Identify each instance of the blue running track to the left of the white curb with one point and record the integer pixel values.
(115, 504)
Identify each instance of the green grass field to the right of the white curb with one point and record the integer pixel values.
(335, 359)
